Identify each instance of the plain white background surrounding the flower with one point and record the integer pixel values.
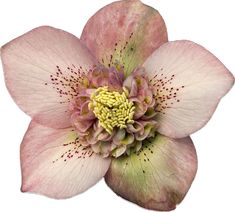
(210, 23)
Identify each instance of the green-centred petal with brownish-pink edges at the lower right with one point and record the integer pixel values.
(158, 177)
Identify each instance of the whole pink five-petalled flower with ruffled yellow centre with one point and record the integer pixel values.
(119, 102)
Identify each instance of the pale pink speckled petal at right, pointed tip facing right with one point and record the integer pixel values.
(189, 82)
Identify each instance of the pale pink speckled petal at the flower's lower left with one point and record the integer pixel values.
(55, 164)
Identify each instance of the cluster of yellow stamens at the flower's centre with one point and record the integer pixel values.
(113, 109)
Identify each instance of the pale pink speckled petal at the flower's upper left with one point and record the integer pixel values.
(41, 71)
